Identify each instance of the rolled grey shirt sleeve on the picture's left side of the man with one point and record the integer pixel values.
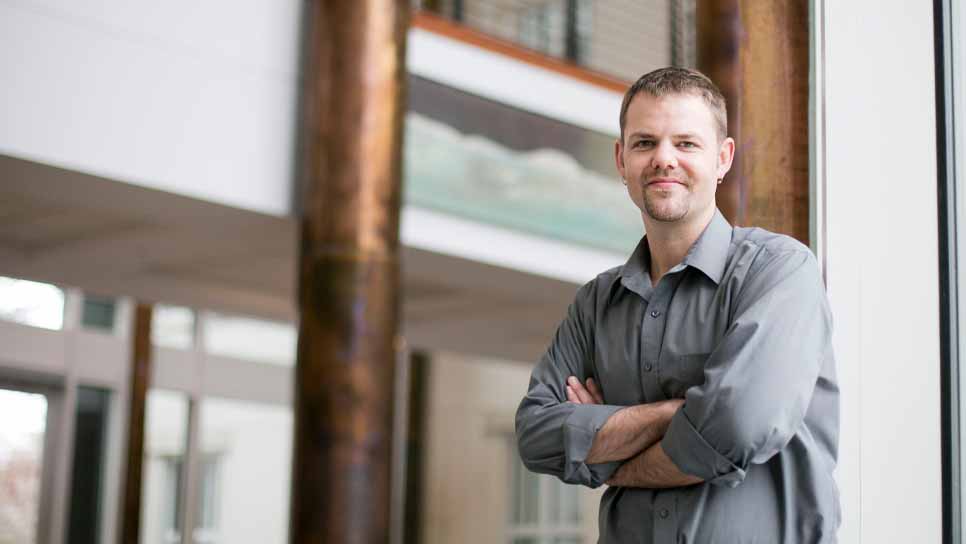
(553, 435)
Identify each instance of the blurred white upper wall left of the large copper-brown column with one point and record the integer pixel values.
(196, 98)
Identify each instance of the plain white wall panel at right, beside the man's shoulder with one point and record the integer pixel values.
(882, 265)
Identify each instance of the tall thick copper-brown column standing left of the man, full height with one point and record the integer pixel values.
(353, 106)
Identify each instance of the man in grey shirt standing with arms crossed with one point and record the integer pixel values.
(696, 380)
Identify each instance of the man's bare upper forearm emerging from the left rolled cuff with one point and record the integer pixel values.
(631, 430)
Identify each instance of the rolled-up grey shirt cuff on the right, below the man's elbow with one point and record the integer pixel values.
(693, 455)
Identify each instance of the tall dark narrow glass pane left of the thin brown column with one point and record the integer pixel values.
(90, 432)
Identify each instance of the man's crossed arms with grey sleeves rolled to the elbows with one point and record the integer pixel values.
(758, 385)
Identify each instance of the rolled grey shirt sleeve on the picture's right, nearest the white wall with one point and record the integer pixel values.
(760, 378)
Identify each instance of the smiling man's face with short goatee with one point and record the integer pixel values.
(671, 158)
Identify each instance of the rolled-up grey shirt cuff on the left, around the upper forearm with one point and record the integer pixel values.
(579, 431)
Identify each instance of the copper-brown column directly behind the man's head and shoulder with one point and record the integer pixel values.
(758, 54)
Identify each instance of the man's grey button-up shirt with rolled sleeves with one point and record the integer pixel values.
(741, 330)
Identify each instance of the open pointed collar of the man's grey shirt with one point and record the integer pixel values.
(709, 254)
